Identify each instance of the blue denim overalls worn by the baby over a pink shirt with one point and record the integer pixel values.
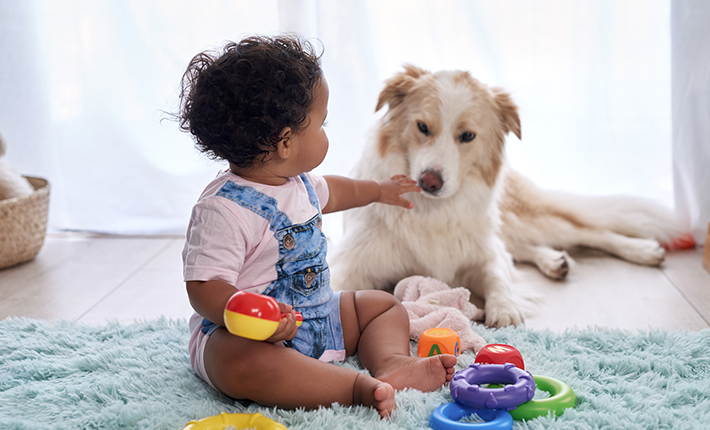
(303, 277)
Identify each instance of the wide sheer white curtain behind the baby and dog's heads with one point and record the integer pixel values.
(83, 87)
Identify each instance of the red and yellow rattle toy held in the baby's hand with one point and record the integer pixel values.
(254, 316)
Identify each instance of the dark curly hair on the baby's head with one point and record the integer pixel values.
(235, 102)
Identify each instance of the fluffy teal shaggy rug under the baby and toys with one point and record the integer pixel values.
(137, 376)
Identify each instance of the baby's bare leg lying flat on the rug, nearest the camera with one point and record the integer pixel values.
(274, 375)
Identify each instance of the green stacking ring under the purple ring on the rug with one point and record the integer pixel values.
(561, 398)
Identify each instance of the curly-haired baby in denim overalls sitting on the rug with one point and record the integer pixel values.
(261, 105)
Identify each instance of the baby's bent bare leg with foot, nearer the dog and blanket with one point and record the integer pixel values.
(376, 326)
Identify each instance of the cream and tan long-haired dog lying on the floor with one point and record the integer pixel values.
(475, 215)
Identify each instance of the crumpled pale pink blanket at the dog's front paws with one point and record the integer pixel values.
(431, 303)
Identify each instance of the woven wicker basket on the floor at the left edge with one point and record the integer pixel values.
(23, 224)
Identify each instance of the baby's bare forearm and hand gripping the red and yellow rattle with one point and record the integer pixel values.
(210, 297)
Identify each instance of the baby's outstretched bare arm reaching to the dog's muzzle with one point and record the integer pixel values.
(347, 193)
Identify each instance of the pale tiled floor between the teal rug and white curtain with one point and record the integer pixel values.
(92, 278)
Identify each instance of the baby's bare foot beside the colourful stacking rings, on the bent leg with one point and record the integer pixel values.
(424, 374)
